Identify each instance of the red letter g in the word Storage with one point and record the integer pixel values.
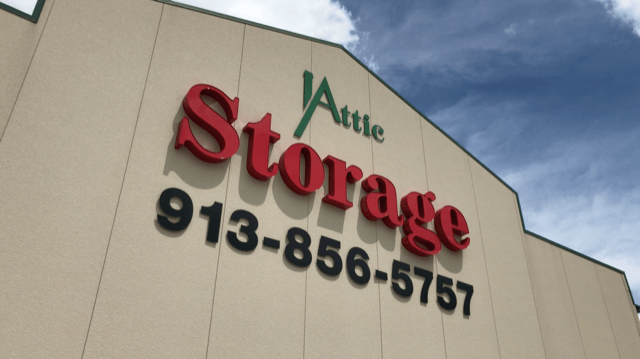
(419, 210)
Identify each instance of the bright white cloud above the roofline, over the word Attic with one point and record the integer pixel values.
(324, 19)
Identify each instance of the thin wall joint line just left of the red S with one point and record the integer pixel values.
(124, 176)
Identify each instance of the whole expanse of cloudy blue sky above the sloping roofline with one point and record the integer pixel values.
(545, 93)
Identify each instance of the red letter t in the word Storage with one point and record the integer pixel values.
(260, 137)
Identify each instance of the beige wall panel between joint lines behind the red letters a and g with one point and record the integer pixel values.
(409, 329)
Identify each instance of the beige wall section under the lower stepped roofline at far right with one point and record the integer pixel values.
(585, 309)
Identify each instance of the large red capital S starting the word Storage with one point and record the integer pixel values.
(205, 117)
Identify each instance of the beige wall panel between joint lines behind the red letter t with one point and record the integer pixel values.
(259, 302)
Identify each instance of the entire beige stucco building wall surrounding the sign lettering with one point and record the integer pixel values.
(86, 270)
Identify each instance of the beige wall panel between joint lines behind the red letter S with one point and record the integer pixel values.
(156, 291)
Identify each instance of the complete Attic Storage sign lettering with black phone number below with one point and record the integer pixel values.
(303, 171)
